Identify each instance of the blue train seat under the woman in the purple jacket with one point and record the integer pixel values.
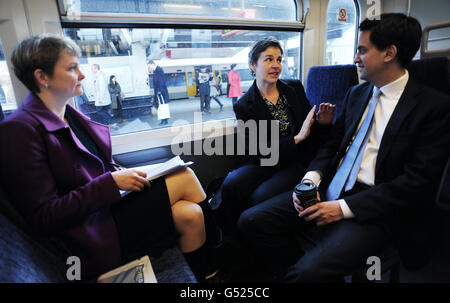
(26, 258)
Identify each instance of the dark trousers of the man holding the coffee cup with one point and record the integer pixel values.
(293, 250)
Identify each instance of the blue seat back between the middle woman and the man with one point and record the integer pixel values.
(330, 84)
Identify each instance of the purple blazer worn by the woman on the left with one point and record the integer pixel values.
(61, 189)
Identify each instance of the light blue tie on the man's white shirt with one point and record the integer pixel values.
(349, 169)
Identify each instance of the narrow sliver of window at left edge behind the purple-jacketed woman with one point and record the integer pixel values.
(7, 98)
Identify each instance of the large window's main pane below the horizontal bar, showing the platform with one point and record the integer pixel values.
(124, 53)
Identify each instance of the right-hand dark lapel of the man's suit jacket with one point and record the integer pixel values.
(405, 105)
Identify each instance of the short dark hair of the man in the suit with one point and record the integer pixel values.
(395, 29)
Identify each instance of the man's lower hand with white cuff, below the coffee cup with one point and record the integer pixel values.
(323, 213)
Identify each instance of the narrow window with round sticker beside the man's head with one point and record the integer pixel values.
(342, 19)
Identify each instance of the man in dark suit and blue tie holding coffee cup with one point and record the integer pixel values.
(378, 172)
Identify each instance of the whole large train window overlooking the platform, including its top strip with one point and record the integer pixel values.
(140, 49)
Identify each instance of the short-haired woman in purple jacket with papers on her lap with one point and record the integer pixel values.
(57, 166)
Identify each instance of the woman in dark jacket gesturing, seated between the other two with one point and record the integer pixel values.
(292, 144)
